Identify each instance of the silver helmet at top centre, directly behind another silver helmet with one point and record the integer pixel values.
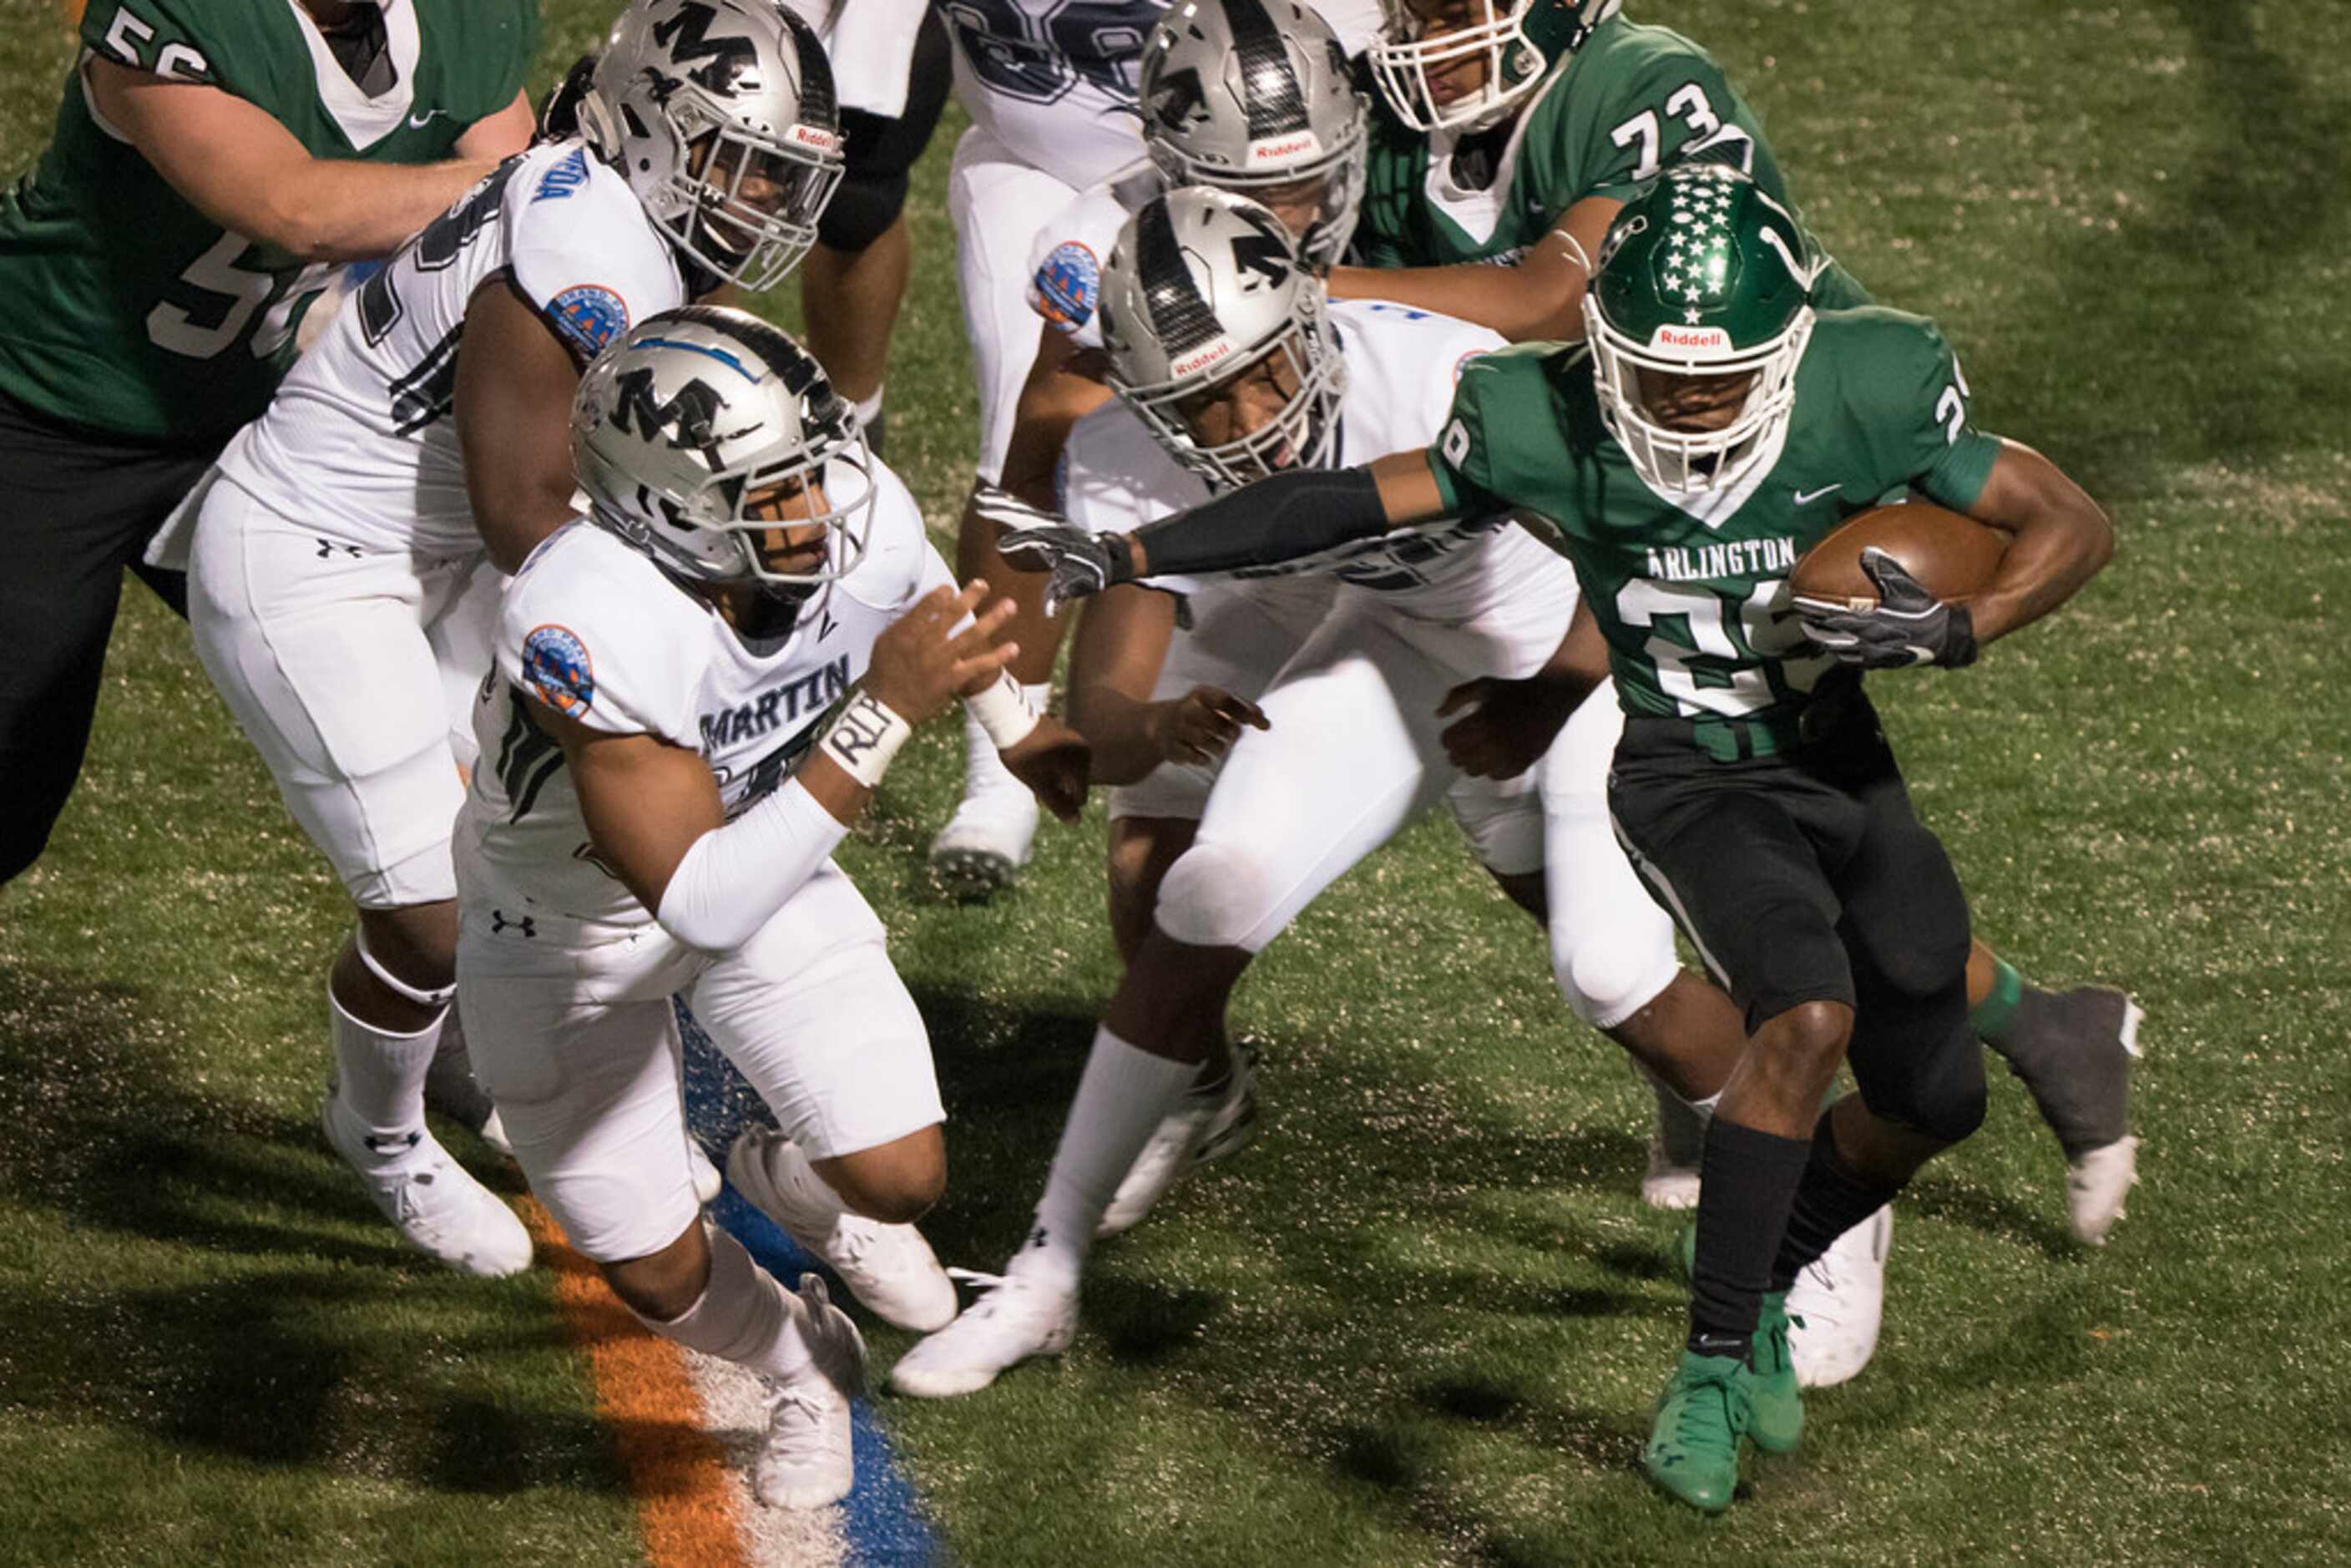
(1254, 98)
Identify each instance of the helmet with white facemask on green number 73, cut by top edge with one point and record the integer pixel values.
(1520, 41)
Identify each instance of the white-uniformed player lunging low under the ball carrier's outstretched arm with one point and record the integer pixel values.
(1221, 344)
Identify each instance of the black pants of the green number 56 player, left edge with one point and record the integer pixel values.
(76, 509)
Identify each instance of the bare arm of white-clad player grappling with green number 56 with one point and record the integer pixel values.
(514, 422)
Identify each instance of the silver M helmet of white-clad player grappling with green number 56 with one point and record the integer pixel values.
(725, 123)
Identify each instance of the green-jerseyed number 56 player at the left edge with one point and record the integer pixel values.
(208, 168)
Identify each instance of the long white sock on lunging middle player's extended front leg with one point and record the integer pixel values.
(1123, 1097)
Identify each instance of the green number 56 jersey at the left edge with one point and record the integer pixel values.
(135, 314)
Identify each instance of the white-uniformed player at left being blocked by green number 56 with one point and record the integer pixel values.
(335, 540)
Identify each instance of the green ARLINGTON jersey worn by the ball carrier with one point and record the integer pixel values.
(1694, 594)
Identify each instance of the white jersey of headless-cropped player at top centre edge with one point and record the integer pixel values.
(1054, 81)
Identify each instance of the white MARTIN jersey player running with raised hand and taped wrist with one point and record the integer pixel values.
(657, 812)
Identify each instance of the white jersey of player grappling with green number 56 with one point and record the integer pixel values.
(359, 443)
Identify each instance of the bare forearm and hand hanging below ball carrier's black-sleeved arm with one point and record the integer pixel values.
(1123, 643)
